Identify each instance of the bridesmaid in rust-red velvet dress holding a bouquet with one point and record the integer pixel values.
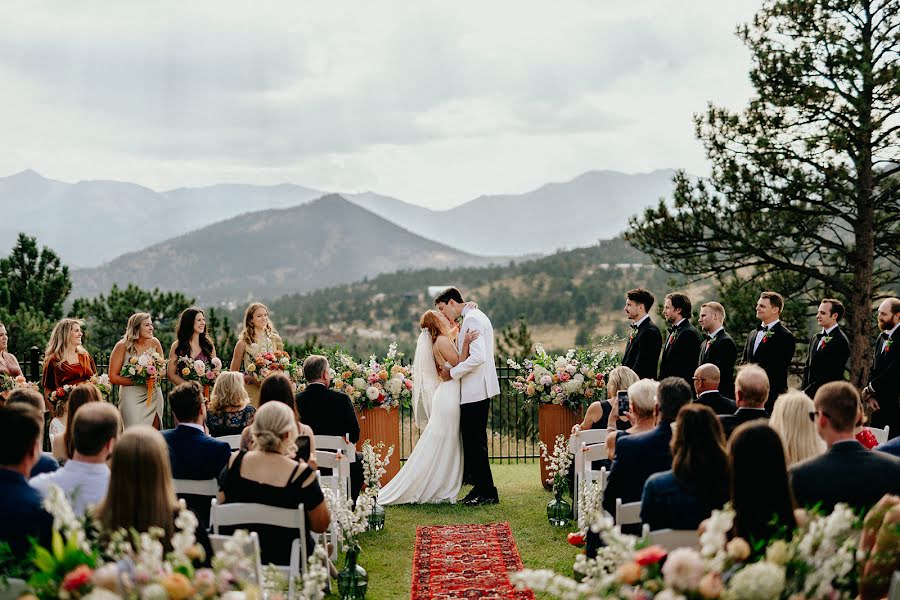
(66, 362)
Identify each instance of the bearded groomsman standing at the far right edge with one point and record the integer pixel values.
(883, 391)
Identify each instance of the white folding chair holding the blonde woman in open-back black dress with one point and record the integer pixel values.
(249, 513)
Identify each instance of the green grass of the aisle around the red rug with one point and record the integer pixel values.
(387, 555)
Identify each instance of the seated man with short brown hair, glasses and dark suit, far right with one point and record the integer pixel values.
(847, 472)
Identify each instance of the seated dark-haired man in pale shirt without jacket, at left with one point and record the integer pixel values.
(85, 477)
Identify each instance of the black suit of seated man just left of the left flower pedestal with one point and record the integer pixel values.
(329, 412)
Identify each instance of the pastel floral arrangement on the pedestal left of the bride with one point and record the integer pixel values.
(378, 383)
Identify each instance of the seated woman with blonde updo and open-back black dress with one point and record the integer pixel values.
(268, 475)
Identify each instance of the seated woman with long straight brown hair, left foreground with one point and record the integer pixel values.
(141, 494)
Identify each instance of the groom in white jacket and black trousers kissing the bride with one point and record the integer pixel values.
(478, 384)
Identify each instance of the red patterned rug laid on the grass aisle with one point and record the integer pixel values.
(466, 561)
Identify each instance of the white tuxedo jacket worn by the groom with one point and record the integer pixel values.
(477, 374)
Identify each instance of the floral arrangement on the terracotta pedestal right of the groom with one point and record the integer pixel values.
(571, 379)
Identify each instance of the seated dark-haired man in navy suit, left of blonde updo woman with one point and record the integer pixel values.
(192, 453)
